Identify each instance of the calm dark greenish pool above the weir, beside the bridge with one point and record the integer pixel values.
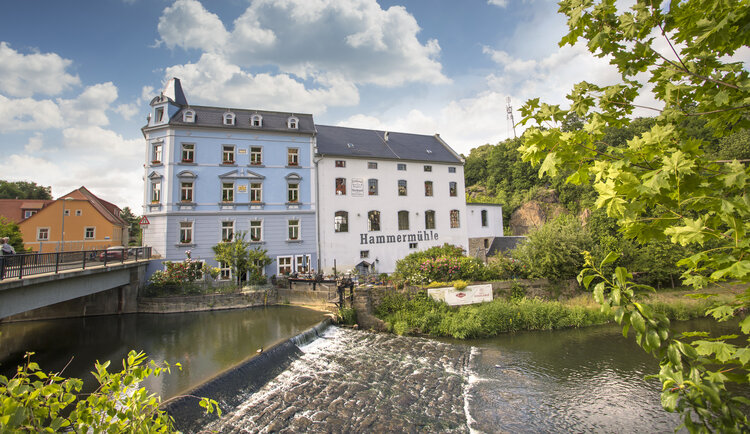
(205, 343)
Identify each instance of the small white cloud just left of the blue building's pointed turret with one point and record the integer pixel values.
(90, 107)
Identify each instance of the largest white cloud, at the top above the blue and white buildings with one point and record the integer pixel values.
(355, 40)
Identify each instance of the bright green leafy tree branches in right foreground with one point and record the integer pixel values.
(662, 186)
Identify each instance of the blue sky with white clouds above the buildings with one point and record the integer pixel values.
(76, 77)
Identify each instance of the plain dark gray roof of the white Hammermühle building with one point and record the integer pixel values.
(357, 142)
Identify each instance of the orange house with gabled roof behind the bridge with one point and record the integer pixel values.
(77, 221)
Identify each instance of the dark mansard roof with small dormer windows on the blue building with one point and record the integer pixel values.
(214, 117)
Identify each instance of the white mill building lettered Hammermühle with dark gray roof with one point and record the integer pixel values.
(384, 195)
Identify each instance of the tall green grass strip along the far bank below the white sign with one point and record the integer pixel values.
(421, 315)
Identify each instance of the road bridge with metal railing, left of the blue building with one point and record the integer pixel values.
(33, 281)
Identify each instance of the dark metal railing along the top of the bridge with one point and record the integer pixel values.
(28, 264)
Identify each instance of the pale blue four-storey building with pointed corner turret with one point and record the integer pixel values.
(212, 172)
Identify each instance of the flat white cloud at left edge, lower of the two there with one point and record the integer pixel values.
(28, 114)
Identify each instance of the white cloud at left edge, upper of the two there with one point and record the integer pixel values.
(23, 75)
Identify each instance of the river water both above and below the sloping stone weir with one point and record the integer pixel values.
(576, 380)
